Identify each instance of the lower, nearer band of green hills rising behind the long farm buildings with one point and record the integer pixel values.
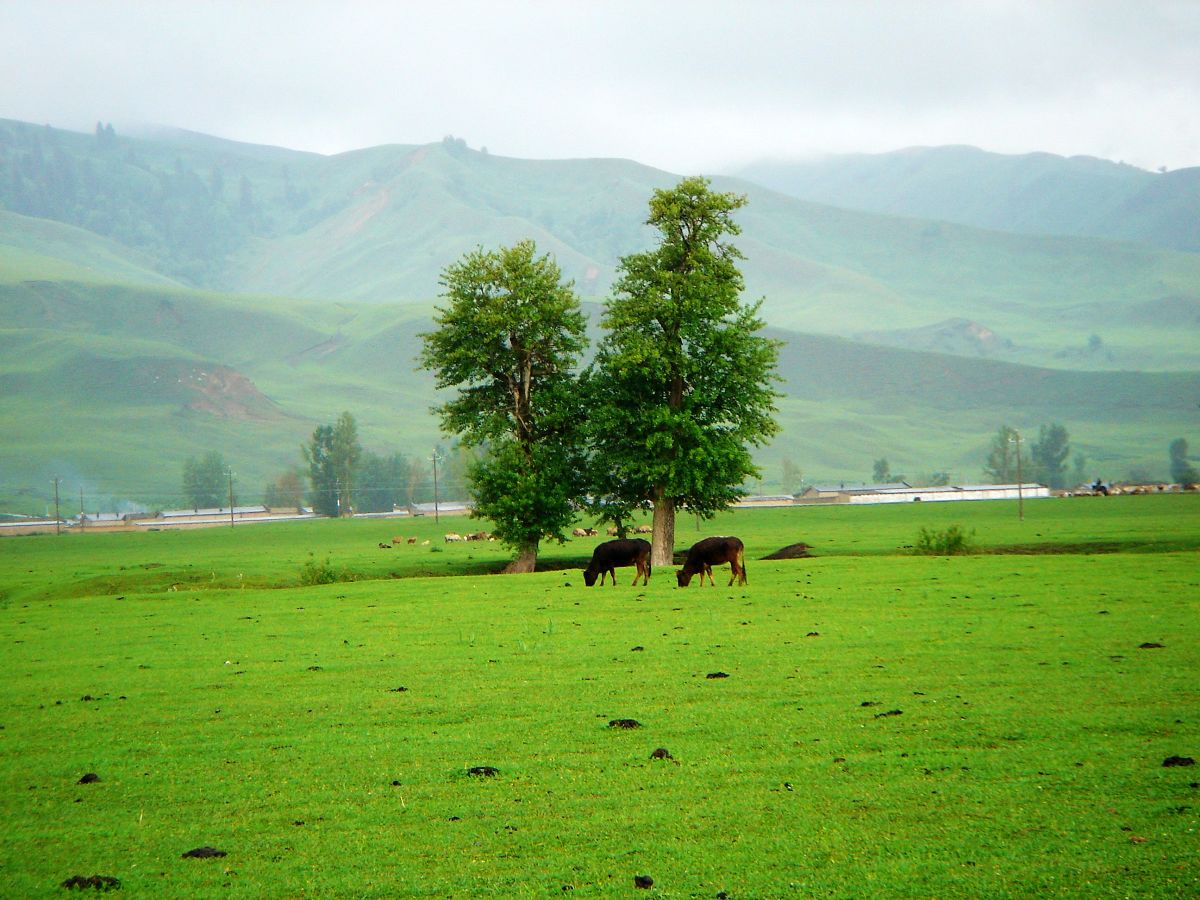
(113, 388)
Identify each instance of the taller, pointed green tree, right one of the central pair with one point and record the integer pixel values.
(683, 381)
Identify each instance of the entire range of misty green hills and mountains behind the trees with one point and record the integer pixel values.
(224, 295)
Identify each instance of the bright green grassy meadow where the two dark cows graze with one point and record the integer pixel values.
(861, 723)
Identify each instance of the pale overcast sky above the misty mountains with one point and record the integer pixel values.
(691, 87)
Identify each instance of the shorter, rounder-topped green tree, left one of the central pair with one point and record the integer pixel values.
(508, 341)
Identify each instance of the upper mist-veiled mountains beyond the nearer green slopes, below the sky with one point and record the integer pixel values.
(380, 225)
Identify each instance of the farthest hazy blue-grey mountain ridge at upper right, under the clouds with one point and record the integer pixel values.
(1033, 194)
